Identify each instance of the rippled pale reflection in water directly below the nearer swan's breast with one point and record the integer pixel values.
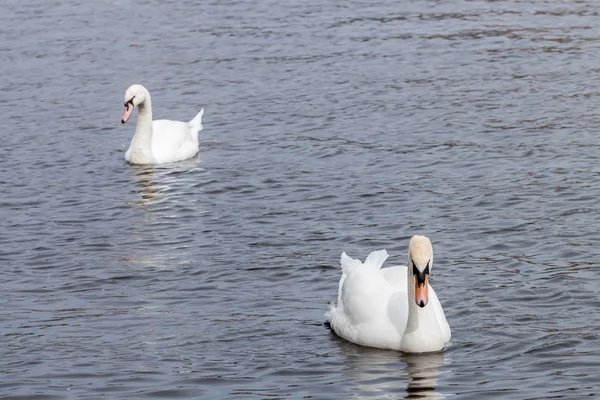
(423, 370)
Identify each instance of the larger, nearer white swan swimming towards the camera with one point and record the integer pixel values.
(390, 308)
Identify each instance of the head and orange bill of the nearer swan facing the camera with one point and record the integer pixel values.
(420, 260)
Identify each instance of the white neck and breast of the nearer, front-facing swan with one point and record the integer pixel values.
(422, 333)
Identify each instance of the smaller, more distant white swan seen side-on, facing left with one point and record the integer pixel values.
(161, 141)
